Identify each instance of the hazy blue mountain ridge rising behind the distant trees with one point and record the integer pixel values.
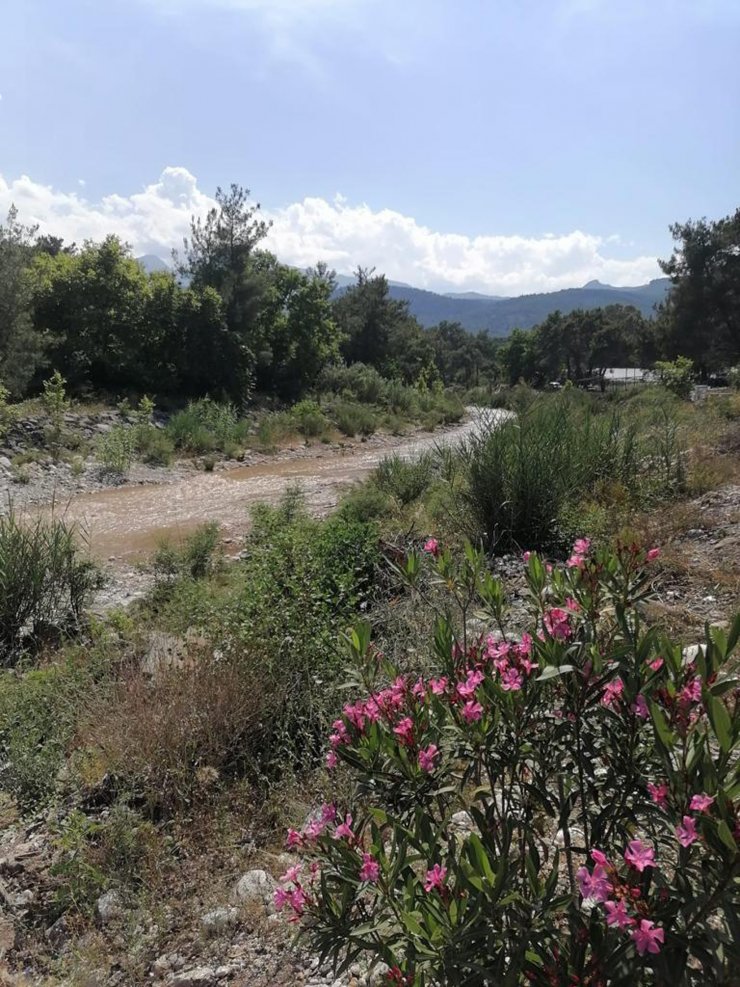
(499, 316)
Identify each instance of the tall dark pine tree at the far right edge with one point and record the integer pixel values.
(701, 317)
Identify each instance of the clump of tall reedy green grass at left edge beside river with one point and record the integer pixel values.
(45, 582)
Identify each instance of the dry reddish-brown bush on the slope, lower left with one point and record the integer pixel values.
(170, 742)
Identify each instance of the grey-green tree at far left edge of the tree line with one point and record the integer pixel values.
(21, 347)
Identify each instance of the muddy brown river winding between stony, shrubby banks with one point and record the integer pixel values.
(124, 524)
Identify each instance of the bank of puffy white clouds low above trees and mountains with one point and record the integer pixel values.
(343, 234)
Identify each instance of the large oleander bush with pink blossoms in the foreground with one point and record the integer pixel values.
(556, 807)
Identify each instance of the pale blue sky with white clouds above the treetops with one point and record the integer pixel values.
(504, 146)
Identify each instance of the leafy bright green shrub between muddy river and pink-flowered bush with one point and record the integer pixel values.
(300, 583)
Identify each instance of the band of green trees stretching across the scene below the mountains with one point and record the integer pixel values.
(232, 321)
